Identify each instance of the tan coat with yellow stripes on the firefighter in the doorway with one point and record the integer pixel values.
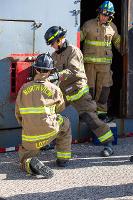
(97, 39)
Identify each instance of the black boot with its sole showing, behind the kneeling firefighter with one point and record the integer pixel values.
(38, 168)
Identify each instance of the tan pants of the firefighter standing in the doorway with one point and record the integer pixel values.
(99, 80)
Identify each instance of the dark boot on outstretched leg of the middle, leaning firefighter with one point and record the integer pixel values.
(108, 150)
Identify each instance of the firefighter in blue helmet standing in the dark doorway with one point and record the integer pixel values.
(98, 34)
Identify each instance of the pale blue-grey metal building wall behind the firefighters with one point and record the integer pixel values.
(17, 37)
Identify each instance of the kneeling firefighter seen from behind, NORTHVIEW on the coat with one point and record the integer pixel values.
(37, 106)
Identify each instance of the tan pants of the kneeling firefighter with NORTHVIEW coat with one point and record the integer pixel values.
(63, 145)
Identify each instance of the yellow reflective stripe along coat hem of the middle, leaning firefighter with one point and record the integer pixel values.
(80, 93)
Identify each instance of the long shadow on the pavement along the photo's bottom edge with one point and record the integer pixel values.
(88, 193)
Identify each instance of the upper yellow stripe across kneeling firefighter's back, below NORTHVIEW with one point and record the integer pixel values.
(38, 110)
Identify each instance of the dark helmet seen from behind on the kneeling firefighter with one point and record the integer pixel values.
(44, 62)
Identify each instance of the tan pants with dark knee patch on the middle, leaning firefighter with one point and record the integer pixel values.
(86, 108)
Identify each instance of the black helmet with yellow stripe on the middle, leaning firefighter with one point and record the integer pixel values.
(53, 34)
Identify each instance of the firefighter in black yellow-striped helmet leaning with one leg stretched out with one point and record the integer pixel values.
(68, 60)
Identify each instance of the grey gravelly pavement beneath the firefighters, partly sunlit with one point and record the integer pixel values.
(88, 177)
